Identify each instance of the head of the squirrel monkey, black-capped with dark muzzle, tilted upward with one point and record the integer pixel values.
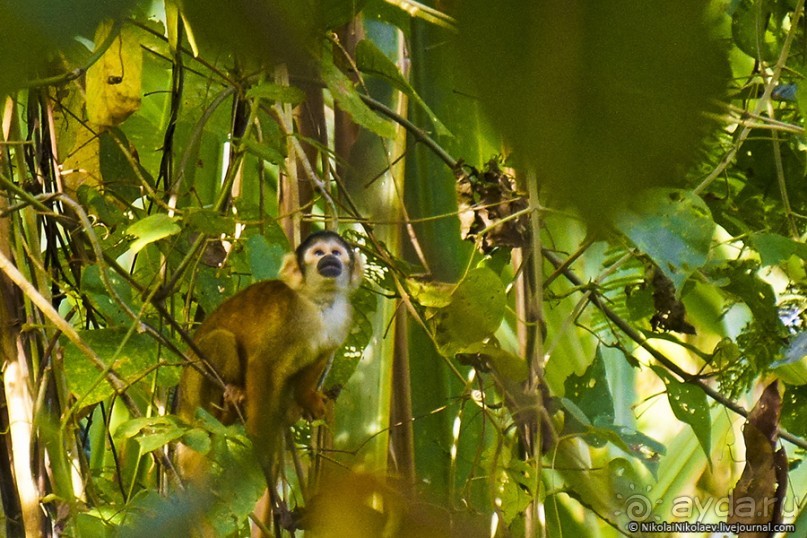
(323, 262)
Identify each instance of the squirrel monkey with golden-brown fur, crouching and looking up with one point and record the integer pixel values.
(270, 344)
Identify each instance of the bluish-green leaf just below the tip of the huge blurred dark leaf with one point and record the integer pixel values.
(673, 227)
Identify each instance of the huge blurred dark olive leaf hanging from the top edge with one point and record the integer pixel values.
(603, 99)
